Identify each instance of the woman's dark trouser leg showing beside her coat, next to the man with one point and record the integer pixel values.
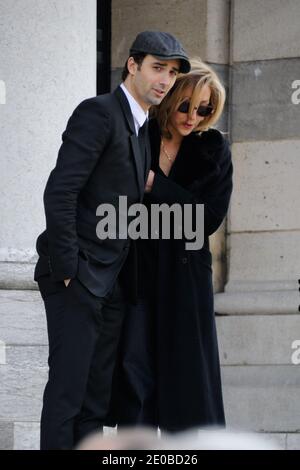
(134, 398)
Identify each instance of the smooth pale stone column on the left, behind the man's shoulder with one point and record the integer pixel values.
(47, 66)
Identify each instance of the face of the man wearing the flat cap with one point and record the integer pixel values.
(151, 81)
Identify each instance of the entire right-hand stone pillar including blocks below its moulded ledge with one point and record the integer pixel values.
(261, 323)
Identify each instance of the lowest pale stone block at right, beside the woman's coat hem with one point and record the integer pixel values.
(262, 398)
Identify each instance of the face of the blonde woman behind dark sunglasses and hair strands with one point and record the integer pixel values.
(181, 124)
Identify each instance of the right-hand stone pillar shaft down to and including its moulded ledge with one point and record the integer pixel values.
(264, 222)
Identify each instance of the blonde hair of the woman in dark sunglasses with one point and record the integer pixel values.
(200, 74)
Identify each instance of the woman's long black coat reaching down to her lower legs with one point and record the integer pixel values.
(176, 288)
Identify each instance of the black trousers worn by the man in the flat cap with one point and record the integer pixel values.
(83, 332)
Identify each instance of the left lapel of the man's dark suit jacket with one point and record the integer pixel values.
(133, 139)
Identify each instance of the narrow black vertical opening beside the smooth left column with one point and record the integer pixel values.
(103, 46)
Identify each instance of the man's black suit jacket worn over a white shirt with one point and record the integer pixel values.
(99, 160)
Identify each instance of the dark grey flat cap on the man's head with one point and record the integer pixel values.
(161, 45)
